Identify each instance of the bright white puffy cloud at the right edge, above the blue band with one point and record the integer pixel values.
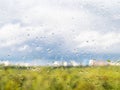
(98, 42)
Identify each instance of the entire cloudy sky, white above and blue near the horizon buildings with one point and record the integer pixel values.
(48, 30)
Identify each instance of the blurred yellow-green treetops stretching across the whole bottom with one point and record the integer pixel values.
(60, 78)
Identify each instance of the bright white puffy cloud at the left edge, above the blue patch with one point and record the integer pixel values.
(14, 34)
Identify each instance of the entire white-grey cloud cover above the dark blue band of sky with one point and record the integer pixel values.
(75, 22)
